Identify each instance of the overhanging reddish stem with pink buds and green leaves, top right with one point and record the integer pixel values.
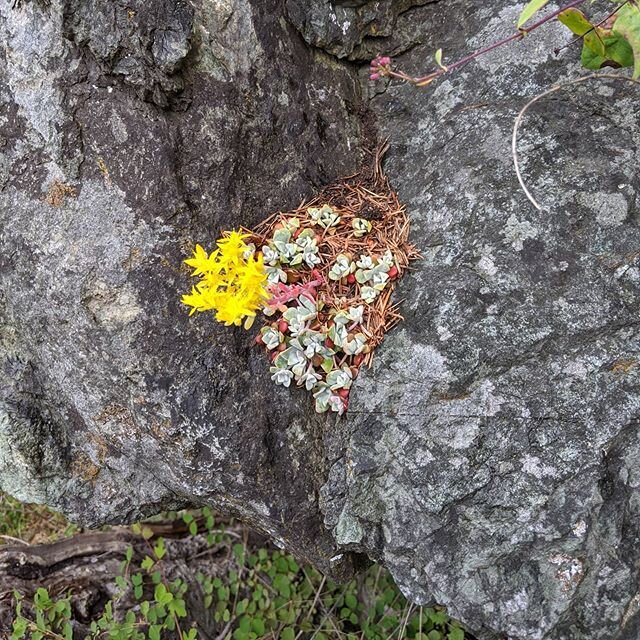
(613, 41)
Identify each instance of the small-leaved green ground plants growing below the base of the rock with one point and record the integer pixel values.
(264, 593)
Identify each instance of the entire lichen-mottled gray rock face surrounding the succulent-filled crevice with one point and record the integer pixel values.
(490, 458)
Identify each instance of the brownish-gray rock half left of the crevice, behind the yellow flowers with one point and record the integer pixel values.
(129, 132)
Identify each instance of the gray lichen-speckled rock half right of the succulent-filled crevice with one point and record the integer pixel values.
(490, 457)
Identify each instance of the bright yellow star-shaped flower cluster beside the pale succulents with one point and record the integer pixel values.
(233, 281)
